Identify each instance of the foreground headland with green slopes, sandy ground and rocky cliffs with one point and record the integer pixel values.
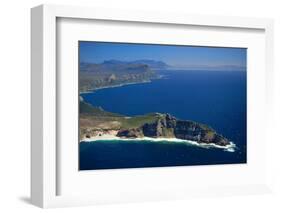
(95, 122)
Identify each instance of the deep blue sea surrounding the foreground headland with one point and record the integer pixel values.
(217, 99)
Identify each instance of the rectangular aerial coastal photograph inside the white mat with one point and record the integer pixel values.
(161, 105)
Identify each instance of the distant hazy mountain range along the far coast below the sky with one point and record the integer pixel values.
(111, 73)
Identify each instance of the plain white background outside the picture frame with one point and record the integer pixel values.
(15, 99)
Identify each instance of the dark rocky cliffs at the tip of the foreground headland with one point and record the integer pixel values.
(168, 126)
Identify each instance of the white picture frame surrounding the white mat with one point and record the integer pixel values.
(44, 154)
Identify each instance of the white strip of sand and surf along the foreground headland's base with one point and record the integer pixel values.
(230, 148)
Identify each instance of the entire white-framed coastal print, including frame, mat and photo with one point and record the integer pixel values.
(130, 106)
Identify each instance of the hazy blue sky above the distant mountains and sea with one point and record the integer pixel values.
(178, 56)
